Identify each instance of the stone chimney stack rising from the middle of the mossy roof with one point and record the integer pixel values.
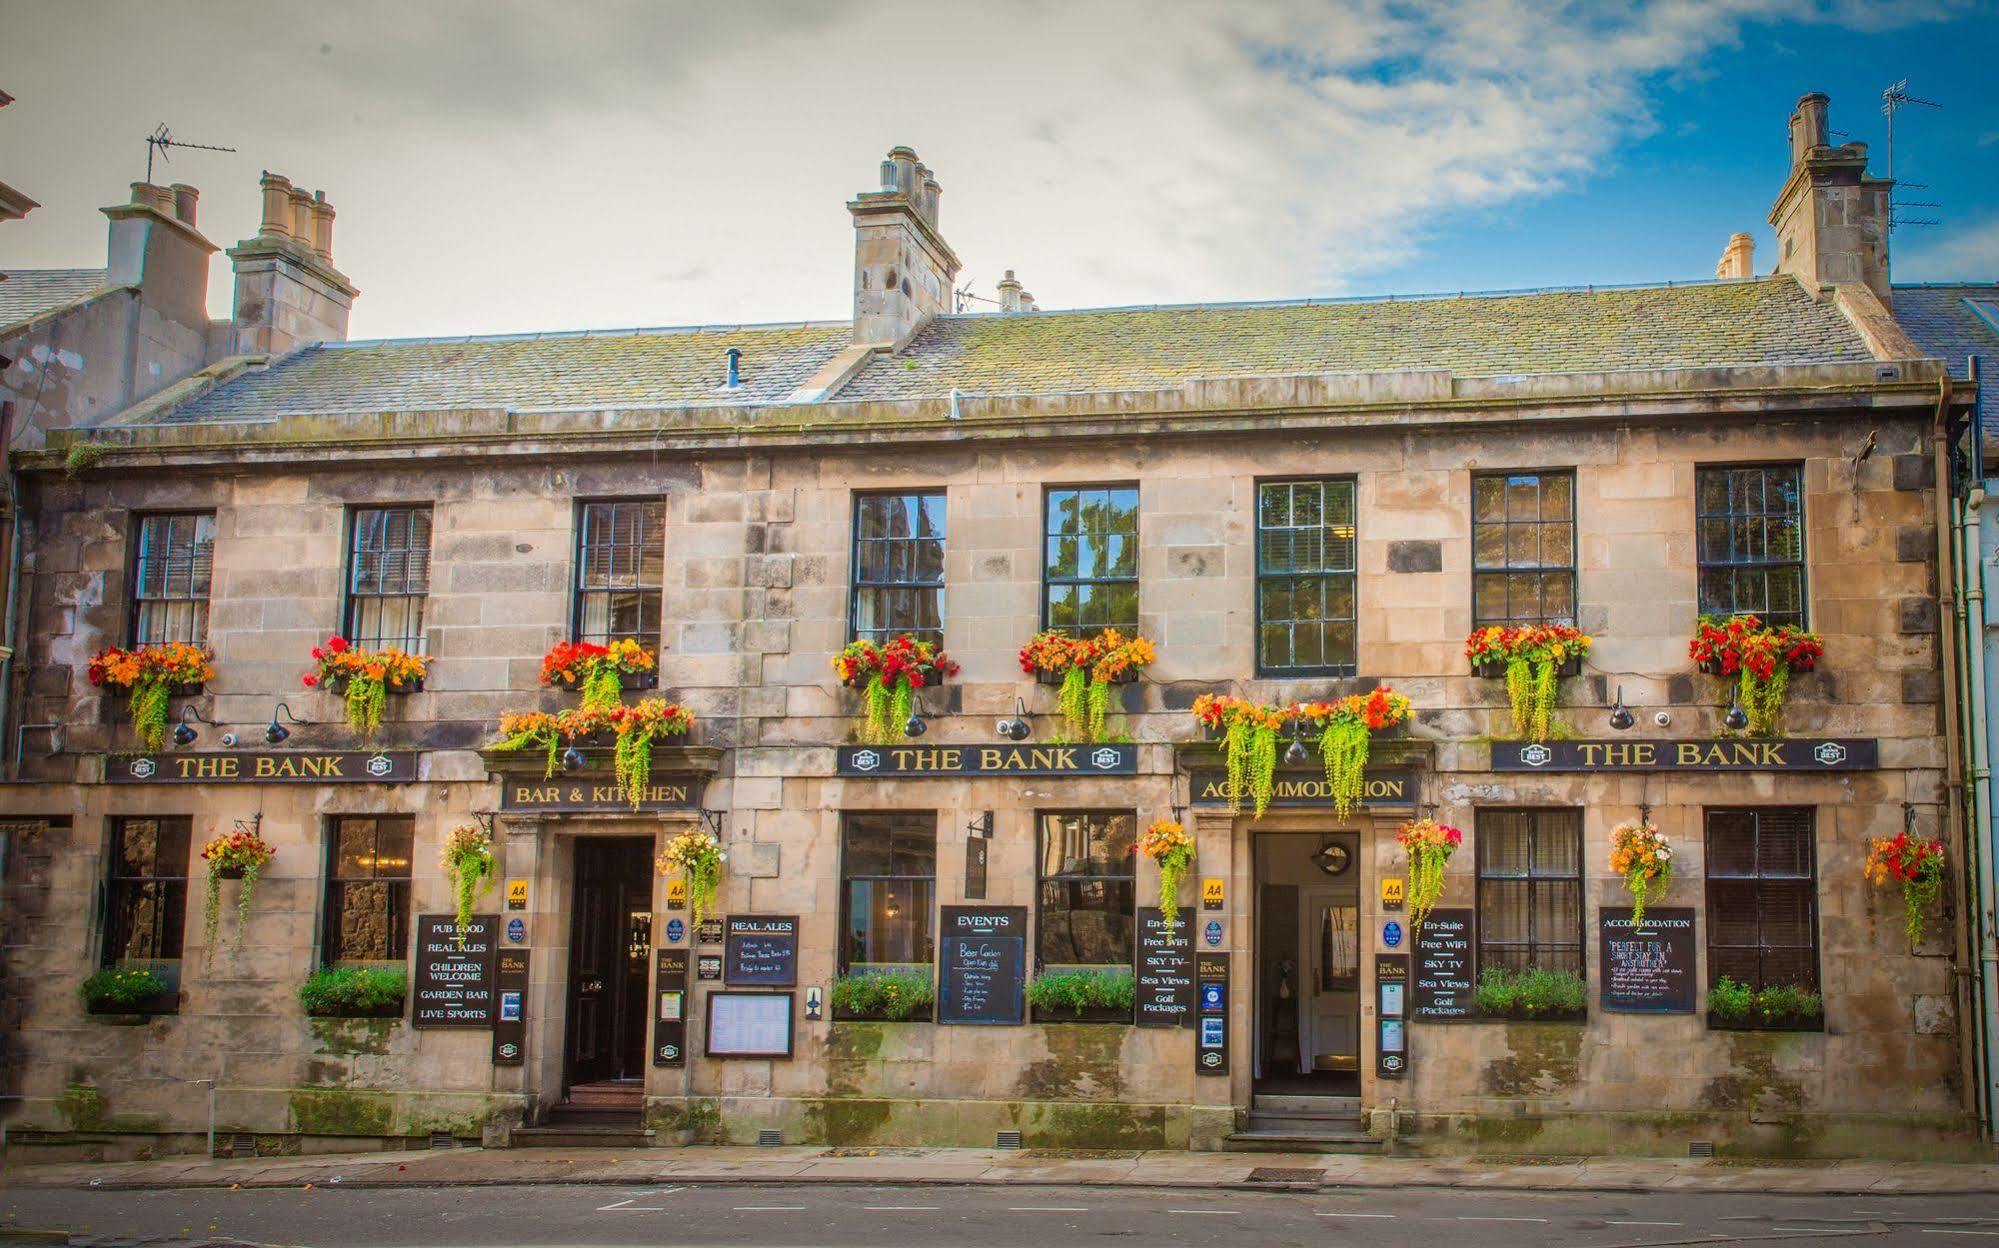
(903, 267)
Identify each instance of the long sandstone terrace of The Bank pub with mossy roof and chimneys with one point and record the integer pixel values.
(1294, 501)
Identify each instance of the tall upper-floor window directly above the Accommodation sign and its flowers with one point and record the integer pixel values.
(1304, 557)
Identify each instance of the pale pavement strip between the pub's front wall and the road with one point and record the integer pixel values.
(983, 1167)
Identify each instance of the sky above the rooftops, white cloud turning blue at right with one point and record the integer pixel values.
(511, 165)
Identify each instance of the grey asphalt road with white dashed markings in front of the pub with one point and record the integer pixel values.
(979, 1217)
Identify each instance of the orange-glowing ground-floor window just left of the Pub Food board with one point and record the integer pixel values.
(369, 889)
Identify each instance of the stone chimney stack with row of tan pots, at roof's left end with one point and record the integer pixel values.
(289, 293)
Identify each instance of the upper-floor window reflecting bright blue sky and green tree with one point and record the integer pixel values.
(1090, 561)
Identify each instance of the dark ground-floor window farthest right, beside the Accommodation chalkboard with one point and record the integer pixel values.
(1762, 899)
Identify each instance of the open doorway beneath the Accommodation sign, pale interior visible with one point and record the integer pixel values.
(1308, 965)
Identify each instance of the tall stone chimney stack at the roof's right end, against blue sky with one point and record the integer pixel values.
(1832, 217)
